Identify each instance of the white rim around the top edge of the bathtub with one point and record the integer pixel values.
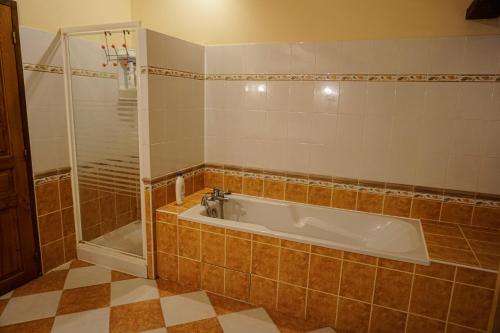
(193, 214)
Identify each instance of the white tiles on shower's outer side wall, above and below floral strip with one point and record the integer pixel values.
(175, 105)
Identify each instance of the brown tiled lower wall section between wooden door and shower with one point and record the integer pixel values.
(56, 223)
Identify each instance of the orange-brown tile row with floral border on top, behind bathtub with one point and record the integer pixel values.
(375, 197)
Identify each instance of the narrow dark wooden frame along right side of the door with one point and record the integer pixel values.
(24, 121)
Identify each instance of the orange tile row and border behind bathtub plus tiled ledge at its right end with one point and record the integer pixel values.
(467, 225)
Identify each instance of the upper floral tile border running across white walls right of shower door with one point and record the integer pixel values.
(153, 70)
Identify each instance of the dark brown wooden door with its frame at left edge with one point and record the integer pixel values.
(19, 259)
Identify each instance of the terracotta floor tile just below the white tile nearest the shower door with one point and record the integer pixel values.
(84, 298)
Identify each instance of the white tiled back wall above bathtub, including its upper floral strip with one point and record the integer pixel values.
(353, 109)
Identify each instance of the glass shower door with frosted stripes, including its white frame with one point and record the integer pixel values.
(103, 123)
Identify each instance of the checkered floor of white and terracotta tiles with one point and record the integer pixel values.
(80, 297)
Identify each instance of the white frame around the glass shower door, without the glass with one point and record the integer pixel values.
(106, 256)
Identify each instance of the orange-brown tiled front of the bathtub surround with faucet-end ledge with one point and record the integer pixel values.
(352, 292)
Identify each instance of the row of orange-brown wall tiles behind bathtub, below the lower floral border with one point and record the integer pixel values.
(361, 200)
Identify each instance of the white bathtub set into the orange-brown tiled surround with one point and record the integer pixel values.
(371, 234)
